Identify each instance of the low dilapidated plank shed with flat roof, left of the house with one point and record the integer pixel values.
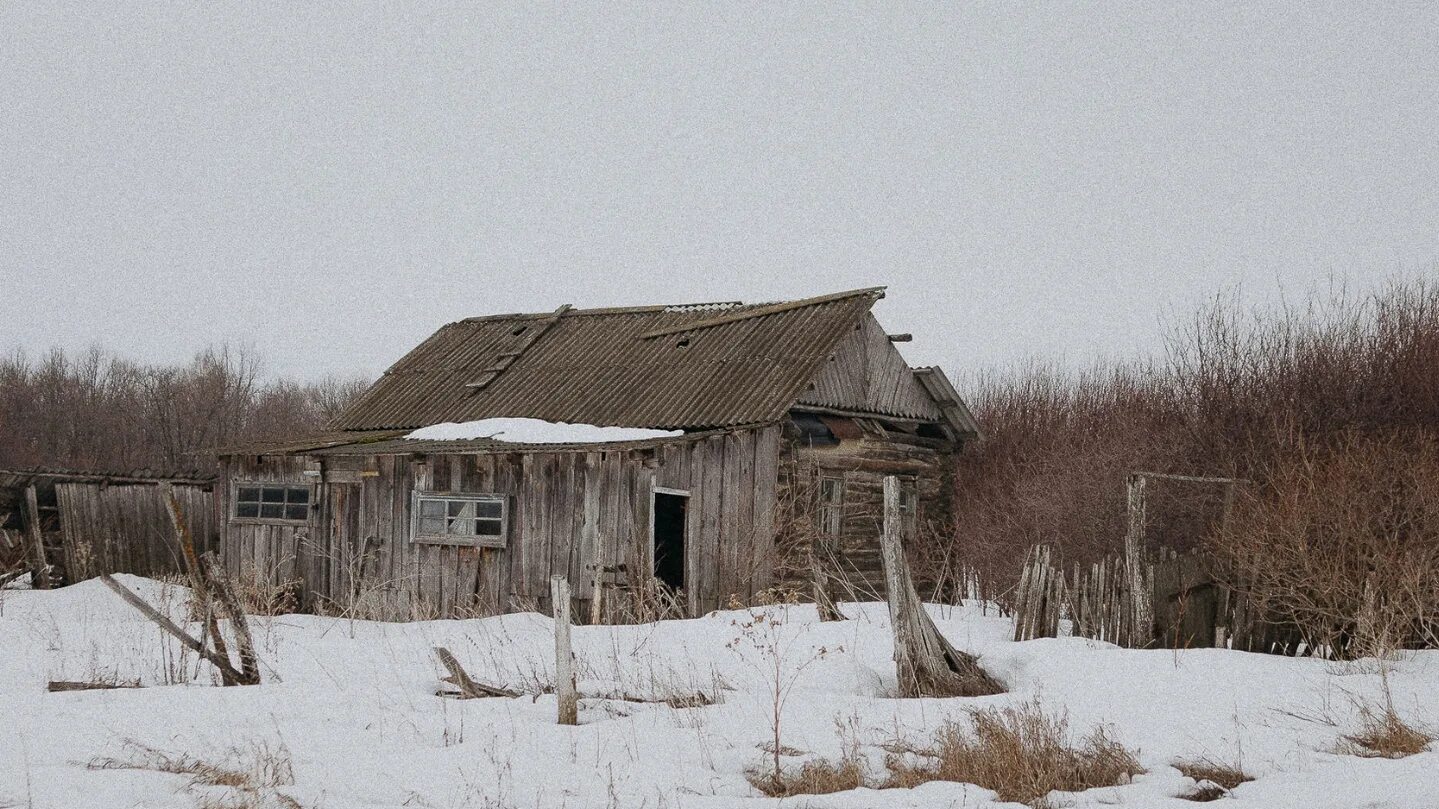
(68, 526)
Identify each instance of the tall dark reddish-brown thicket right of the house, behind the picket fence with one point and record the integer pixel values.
(1235, 392)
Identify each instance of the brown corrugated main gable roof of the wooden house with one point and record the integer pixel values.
(668, 368)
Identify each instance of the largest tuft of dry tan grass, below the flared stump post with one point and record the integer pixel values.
(1020, 752)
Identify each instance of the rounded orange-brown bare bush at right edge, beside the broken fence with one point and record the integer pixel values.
(1342, 542)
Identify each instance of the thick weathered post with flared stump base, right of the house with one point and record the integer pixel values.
(926, 663)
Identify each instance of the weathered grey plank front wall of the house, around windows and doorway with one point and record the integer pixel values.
(569, 512)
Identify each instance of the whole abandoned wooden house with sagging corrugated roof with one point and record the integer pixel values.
(784, 417)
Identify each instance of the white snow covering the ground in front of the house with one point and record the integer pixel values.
(352, 708)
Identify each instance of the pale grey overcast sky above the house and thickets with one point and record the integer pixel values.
(1040, 181)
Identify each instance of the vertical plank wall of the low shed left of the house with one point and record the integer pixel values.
(127, 529)
